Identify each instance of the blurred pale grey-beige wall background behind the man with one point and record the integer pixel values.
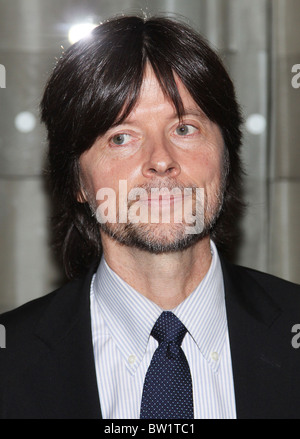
(259, 41)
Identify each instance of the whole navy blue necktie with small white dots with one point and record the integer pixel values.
(168, 392)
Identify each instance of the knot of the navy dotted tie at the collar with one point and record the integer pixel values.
(168, 328)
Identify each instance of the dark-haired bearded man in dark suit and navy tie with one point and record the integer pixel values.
(146, 109)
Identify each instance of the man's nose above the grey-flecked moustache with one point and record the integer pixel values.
(161, 162)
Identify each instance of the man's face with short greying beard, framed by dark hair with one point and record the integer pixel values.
(153, 151)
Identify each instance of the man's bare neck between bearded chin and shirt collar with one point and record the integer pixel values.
(166, 279)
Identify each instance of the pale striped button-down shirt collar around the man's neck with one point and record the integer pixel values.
(130, 316)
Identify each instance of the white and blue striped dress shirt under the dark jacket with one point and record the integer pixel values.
(122, 320)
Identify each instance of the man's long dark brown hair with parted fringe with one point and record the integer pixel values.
(96, 84)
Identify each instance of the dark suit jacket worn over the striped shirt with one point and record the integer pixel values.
(47, 368)
